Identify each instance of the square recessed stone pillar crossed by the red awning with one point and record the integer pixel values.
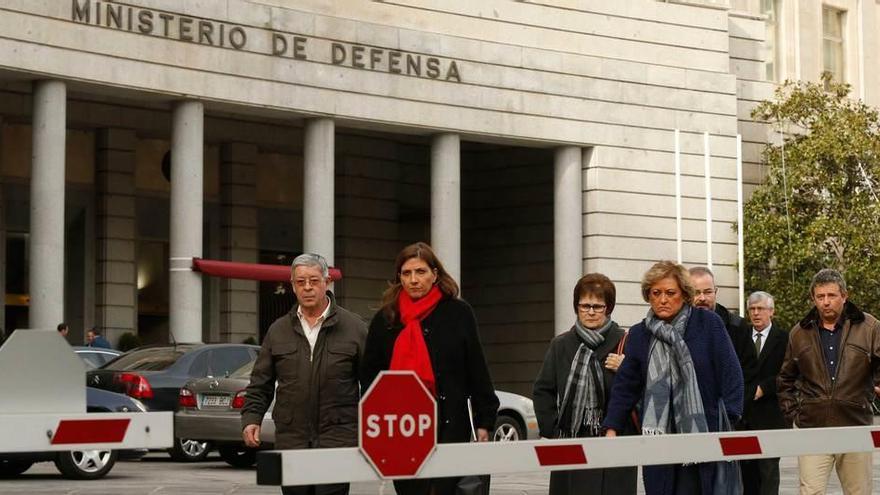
(239, 299)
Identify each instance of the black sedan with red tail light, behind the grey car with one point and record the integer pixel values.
(154, 375)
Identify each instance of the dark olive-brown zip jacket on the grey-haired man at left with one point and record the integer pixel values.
(316, 399)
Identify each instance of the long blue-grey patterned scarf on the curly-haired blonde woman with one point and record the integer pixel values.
(672, 398)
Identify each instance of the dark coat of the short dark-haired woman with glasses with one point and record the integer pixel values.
(548, 391)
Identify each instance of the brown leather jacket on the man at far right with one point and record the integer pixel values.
(806, 394)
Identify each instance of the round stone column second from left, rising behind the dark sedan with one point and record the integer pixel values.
(187, 205)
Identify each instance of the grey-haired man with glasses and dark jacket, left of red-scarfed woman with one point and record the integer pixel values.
(313, 354)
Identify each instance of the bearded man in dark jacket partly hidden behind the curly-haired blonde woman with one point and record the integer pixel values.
(705, 296)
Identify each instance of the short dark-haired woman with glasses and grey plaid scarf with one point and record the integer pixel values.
(574, 385)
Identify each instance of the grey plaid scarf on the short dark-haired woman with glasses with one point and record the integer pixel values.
(585, 388)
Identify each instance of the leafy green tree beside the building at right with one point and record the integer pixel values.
(820, 210)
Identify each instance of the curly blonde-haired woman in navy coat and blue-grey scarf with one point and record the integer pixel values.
(680, 365)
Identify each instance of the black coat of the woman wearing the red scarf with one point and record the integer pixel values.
(460, 369)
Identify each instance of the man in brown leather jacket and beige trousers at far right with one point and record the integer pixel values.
(830, 373)
